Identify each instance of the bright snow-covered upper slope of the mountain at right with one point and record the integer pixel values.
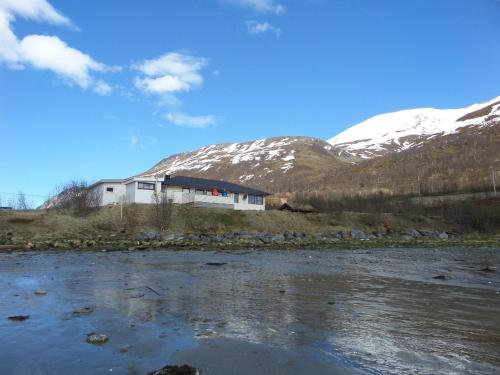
(402, 130)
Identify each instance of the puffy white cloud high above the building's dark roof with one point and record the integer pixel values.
(171, 73)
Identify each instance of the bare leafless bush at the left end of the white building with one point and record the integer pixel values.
(76, 196)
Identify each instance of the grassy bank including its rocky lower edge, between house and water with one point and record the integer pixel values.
(213, 228)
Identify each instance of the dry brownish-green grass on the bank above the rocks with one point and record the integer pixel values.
(106, 222)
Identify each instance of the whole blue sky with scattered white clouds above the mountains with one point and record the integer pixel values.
(105, 89)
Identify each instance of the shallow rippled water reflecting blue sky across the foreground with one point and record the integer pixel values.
(264, 312)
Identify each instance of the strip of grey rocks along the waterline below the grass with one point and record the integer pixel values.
(241, 239)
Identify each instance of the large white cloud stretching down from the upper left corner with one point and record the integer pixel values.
(46, 52)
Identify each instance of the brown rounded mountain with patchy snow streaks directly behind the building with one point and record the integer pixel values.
(278, 164)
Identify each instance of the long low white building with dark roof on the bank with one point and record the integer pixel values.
(199, 192)
